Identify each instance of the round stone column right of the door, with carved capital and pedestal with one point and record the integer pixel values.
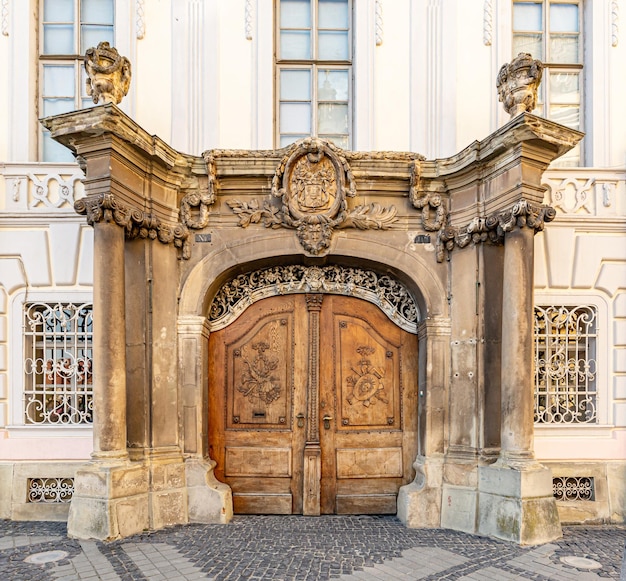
(515, 493)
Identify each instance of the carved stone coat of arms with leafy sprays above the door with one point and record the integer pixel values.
(313, 181)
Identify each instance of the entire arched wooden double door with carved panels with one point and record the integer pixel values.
(313, 406)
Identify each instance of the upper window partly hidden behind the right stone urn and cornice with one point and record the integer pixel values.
(551, 31)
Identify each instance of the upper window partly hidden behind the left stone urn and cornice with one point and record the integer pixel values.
(68, 29)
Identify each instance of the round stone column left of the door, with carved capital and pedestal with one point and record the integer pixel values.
(110, 493)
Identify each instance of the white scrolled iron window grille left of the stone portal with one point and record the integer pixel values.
(58, 363)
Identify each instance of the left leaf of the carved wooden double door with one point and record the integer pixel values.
(256, 390)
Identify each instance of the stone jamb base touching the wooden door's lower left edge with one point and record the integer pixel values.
(210, 501)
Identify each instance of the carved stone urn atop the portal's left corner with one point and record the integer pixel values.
(108, 74)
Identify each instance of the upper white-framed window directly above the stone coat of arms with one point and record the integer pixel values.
(314, 71)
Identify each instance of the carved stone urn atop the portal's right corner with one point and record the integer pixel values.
(518, 82)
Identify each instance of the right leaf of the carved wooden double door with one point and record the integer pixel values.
(368, 408)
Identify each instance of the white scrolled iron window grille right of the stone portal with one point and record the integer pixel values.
(565, 365)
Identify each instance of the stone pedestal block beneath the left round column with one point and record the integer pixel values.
(110, 501)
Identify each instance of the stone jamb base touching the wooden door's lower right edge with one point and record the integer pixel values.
(419, 503)
